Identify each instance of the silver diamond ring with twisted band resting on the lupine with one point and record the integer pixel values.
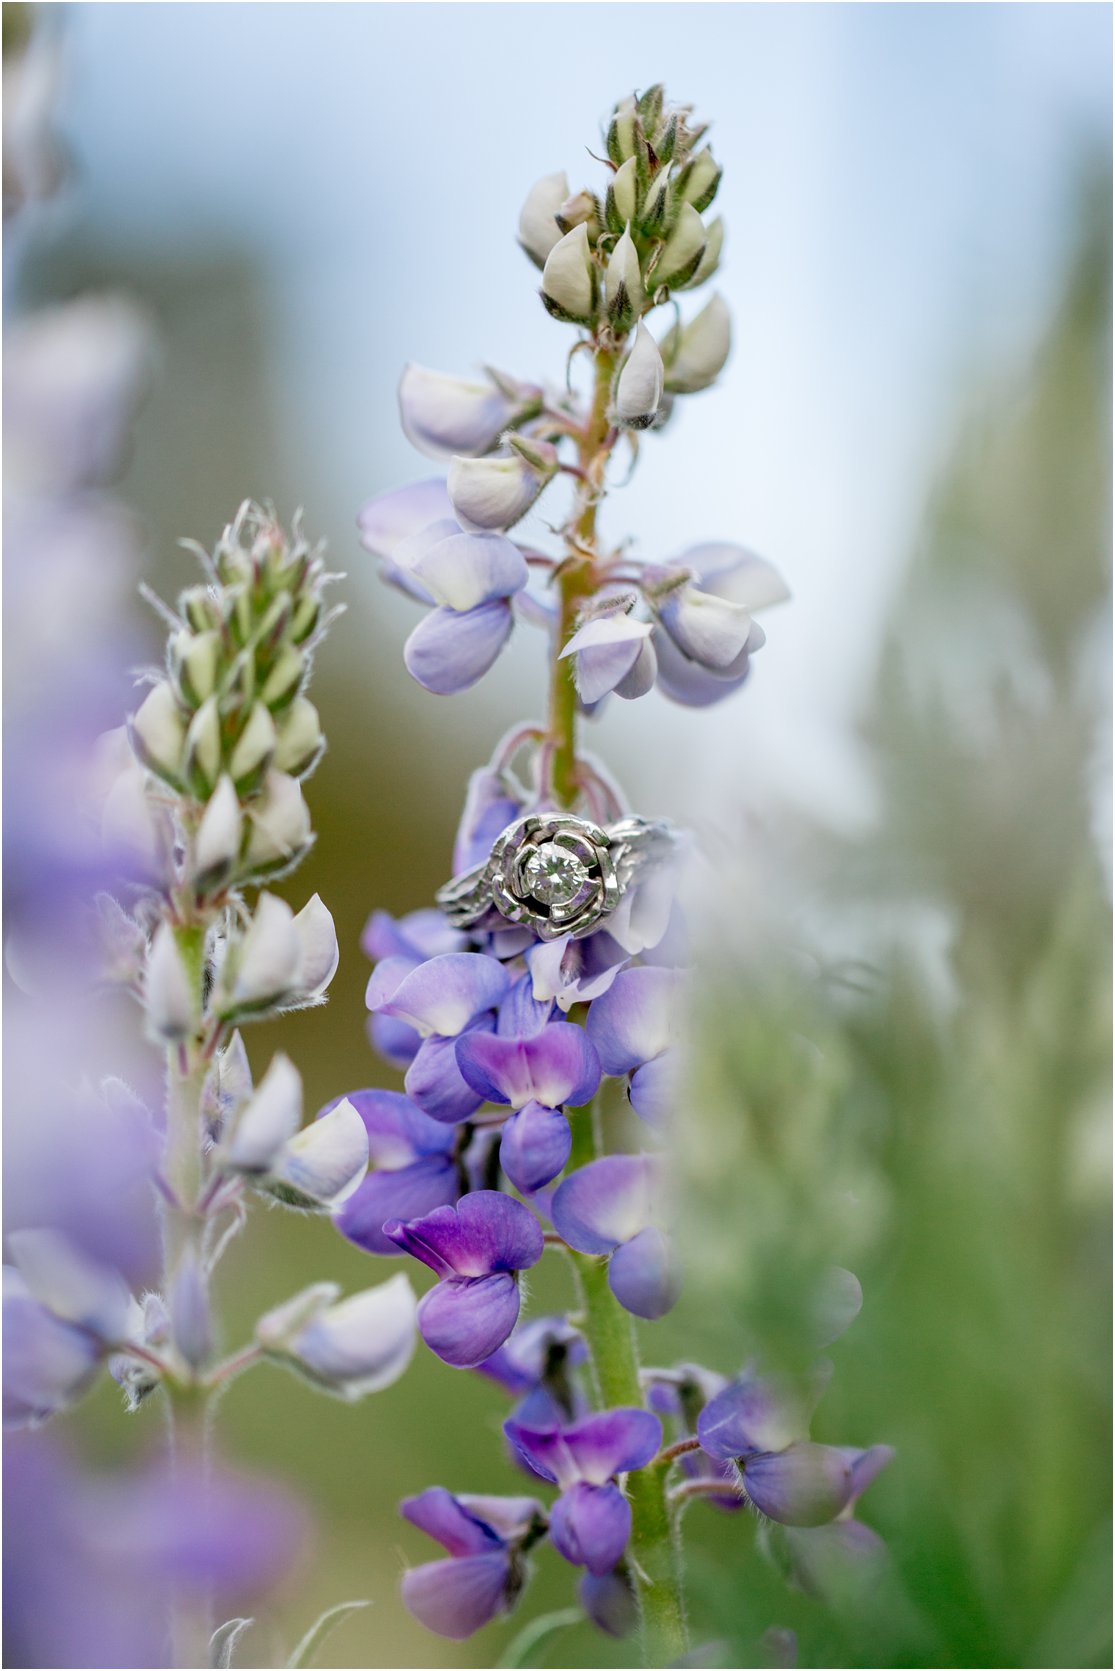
(556, 875)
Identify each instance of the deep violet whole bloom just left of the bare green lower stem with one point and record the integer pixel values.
(477, 1251)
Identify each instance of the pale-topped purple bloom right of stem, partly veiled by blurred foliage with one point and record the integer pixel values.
(613, 1209)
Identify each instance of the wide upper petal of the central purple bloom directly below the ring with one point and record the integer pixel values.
(556, 1067)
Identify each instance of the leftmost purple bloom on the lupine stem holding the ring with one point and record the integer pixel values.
(414, 1169)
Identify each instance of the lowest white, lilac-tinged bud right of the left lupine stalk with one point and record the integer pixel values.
(350, 1349)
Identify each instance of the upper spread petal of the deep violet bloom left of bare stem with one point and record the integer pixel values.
(486, 1232)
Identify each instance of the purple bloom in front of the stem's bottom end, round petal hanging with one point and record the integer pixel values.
(591, 1521)
